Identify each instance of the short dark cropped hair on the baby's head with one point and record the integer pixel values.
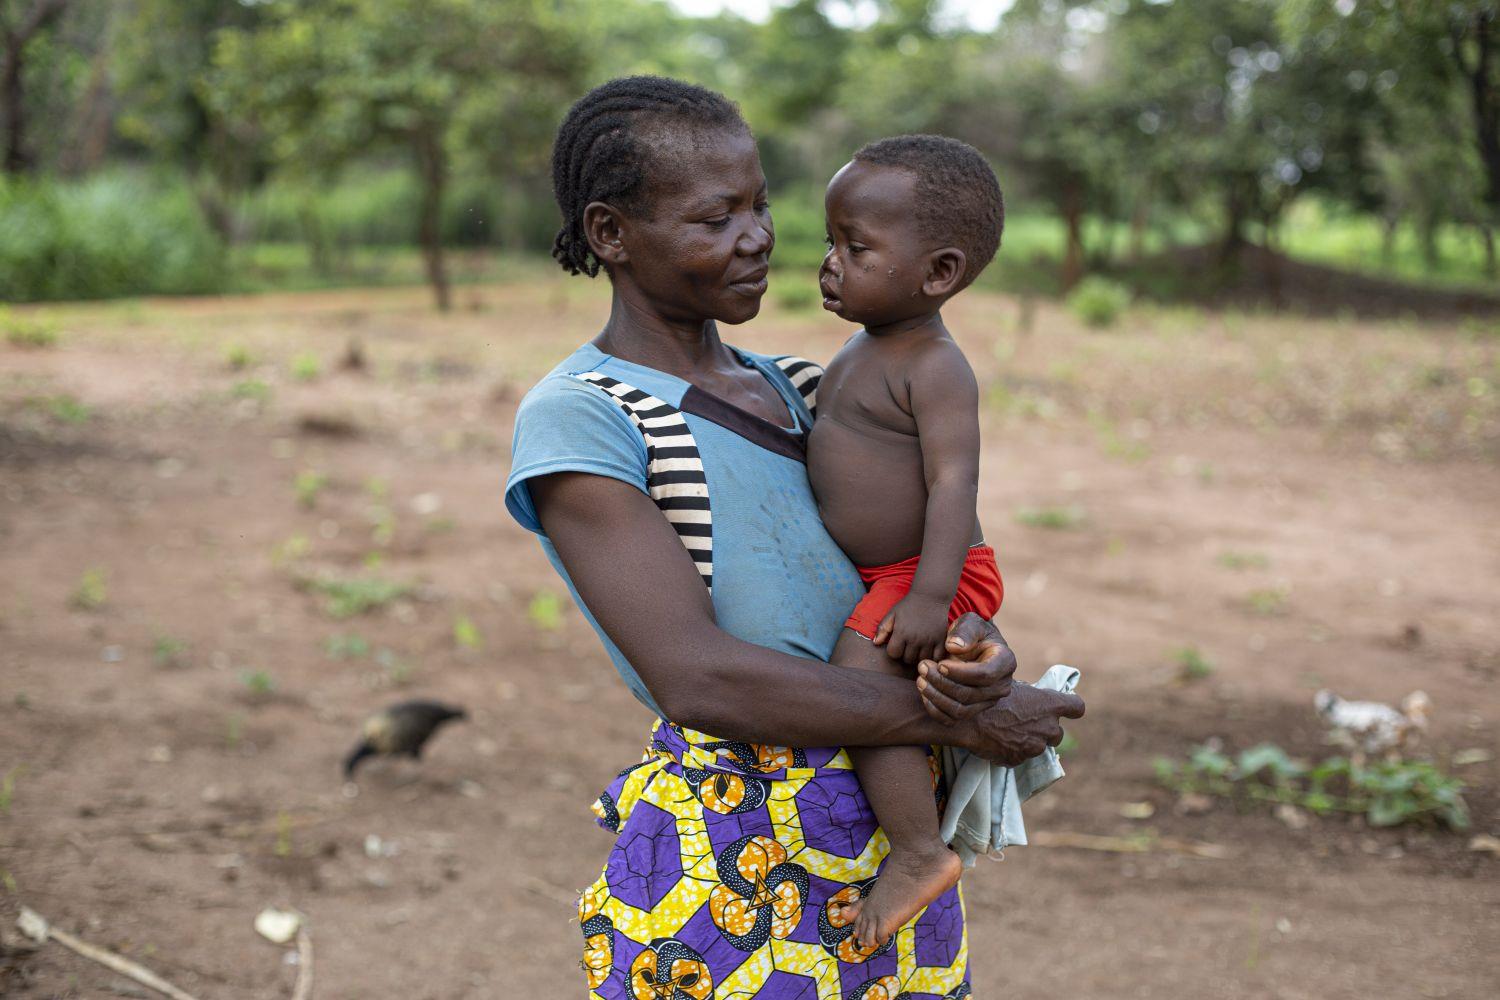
(959, 199)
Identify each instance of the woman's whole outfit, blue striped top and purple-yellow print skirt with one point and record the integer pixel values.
(730, 858)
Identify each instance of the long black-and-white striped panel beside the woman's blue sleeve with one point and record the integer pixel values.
(676, 478)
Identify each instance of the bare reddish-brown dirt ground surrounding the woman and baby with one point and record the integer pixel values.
(1309, 504)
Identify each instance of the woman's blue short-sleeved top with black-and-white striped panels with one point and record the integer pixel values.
(779, 579)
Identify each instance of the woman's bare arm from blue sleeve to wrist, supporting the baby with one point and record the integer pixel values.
(643, 588)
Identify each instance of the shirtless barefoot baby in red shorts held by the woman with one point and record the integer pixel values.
(895, 461)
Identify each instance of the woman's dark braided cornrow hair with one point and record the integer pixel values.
(601, 154)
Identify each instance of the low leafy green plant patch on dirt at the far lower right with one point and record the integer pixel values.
(1387, 794)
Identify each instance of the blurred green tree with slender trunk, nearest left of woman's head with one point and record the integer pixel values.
(331, 82)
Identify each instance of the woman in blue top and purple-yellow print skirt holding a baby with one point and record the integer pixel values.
(664, 472)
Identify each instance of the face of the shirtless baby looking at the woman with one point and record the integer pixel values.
(877, 260)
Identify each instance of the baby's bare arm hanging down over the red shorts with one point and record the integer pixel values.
(946, 404)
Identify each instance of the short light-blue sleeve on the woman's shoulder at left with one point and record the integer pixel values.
(566, 427)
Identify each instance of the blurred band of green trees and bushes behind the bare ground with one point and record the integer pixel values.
(190, 146)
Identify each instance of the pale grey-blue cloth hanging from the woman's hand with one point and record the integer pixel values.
(985, 801)
